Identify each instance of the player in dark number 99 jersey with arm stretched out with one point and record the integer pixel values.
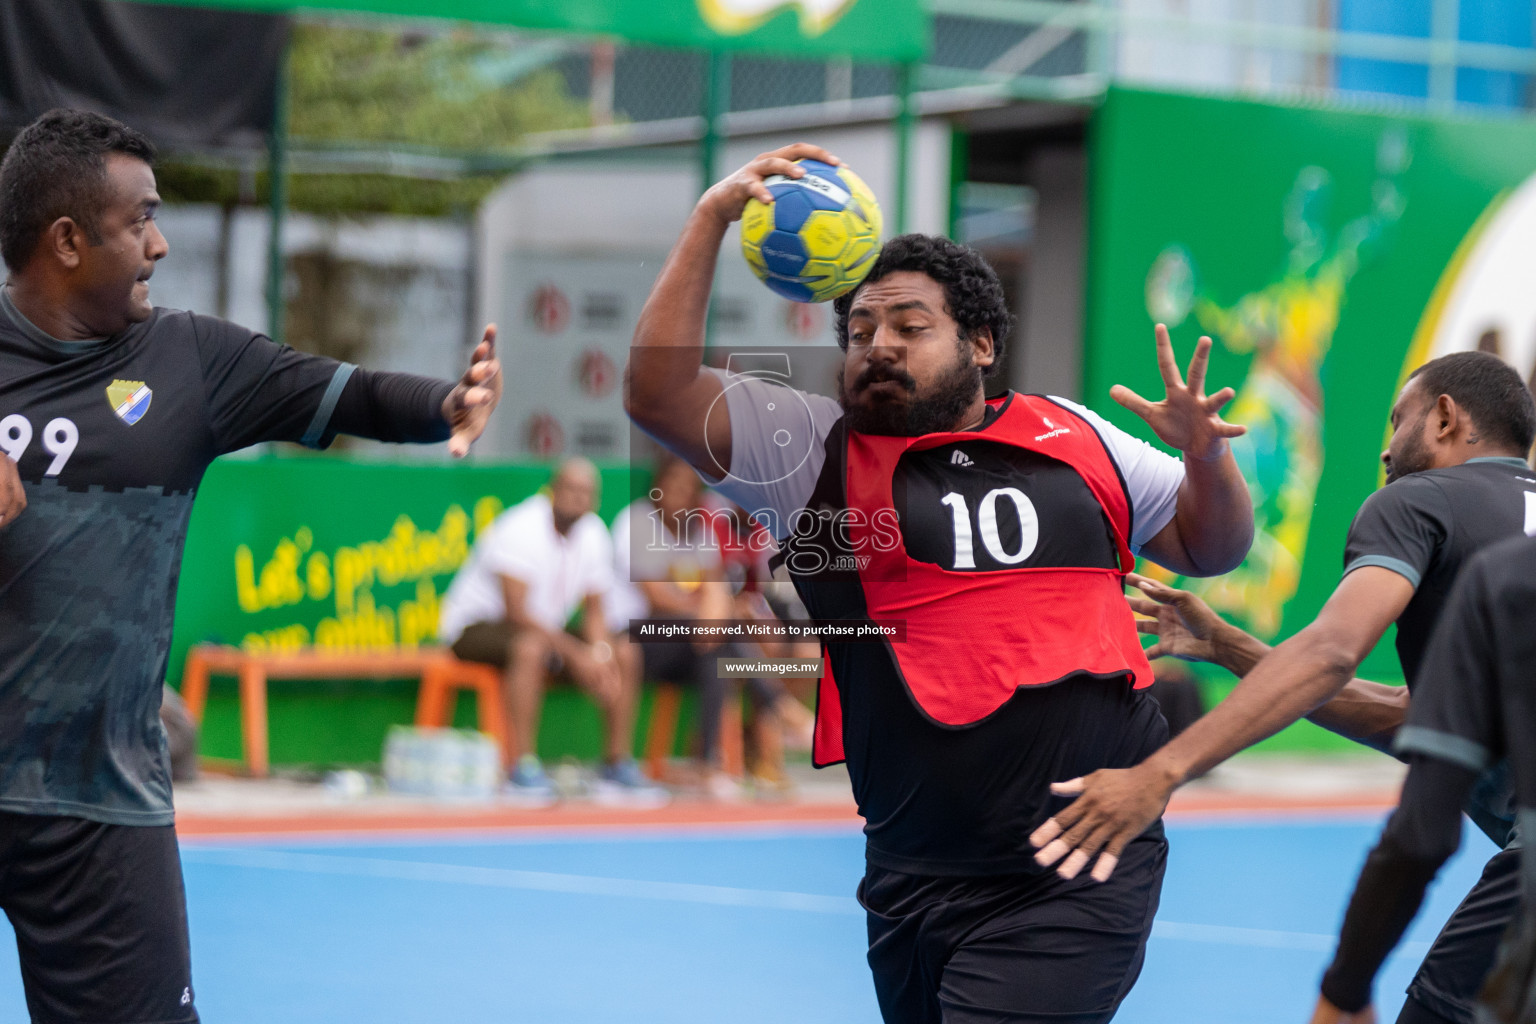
(110, 412)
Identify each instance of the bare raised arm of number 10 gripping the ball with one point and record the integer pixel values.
(667, 392)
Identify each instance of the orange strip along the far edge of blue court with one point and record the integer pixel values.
(586, 819)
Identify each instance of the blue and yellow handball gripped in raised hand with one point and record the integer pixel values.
(818, 239)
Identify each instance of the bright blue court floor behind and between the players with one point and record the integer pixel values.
(712, 927)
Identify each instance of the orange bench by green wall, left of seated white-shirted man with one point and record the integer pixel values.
(442, 676)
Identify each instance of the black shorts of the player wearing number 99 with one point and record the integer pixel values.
(101, 920)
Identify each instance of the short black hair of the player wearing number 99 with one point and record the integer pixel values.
(58, 168)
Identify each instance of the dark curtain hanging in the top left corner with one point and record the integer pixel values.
(184, 76)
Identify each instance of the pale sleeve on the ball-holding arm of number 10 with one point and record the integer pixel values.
(778, 448)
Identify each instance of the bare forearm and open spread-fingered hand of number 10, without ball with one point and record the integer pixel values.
(1214, 526)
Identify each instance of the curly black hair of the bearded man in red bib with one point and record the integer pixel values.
(973, 294)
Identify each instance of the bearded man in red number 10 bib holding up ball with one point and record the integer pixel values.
(998, 532)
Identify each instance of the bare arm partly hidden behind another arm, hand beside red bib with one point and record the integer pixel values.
(1188, 629)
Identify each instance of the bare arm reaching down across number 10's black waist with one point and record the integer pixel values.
(1114, 807)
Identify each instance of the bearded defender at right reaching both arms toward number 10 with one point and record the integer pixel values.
(1458, 483)
